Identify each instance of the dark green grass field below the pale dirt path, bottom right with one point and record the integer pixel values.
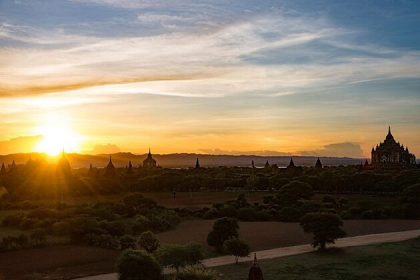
(376, 262)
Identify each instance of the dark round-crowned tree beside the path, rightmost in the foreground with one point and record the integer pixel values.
(326, 227)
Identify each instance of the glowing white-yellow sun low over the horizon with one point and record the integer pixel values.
(57, 136)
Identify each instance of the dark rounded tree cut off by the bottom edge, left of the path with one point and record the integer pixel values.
(138, 265)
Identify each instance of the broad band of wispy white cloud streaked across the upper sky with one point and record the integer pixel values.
(229, 60)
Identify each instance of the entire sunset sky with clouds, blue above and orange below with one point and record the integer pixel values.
(278, 77)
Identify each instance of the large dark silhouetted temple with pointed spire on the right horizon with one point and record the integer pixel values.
(391, 154)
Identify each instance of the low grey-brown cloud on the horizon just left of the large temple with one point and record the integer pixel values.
(346, 149)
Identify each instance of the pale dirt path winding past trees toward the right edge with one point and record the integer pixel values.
(295, 250)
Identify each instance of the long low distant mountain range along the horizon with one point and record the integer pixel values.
(183, 160)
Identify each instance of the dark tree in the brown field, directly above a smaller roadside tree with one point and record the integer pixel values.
(223, 229)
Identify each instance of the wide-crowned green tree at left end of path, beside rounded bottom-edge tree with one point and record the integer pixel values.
(179, 256)
